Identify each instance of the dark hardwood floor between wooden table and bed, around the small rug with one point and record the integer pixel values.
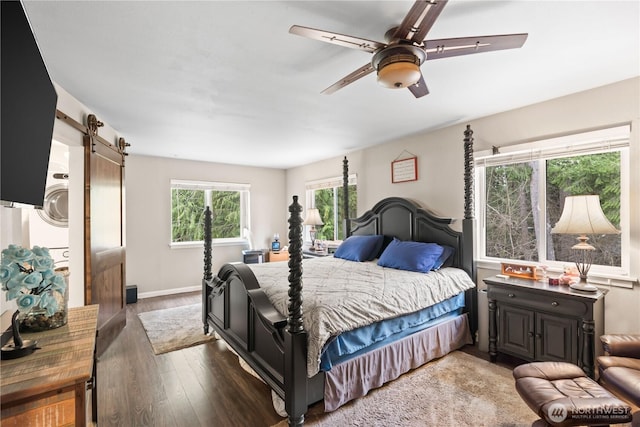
(197, 386)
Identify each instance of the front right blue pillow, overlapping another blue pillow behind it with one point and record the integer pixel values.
(410, 256)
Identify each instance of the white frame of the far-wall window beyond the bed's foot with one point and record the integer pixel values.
(208, 186)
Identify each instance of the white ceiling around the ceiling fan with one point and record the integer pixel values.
(224, 81)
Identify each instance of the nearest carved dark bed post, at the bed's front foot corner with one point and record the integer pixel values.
(295, 337)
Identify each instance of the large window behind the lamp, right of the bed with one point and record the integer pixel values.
(522, 196)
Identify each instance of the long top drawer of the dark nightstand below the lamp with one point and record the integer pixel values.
(555, 303)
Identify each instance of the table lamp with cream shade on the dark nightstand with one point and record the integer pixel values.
(583, 215)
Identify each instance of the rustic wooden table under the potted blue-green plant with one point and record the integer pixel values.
(49, 387)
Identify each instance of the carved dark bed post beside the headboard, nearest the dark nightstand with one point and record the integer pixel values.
(468, 225)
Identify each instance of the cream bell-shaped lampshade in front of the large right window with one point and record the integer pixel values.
(583, 215)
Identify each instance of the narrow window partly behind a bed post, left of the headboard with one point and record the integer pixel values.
(327, 196)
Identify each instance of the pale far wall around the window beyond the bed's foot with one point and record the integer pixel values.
(158, 269)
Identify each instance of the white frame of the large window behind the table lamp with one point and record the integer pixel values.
(592, 142)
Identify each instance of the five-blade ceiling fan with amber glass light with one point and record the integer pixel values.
(397, 62)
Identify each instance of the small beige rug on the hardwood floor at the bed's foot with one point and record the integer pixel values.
(174, 328)
